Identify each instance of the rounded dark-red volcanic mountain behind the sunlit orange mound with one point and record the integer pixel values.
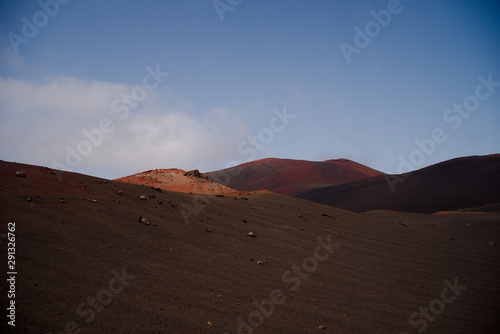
(290, 177)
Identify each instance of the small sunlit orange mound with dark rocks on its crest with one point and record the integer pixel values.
(178, 180)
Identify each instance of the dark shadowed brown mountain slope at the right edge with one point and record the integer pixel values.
(457, 184)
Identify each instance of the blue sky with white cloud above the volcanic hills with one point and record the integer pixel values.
(115, 87)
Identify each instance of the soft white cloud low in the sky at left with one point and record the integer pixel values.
(40, 119)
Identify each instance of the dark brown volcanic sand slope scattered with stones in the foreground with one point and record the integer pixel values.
(204, 275)
